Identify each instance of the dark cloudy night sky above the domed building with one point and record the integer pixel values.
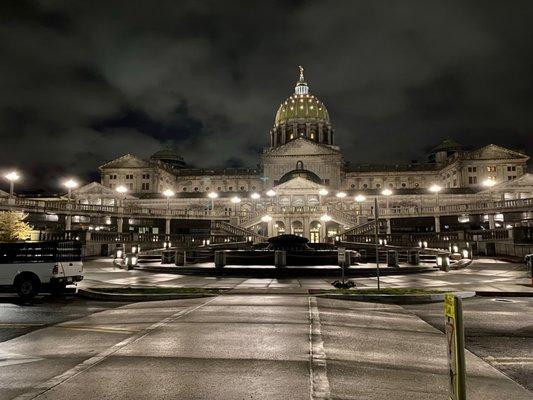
(82, 82)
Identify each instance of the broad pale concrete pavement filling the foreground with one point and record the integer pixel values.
(241, 347)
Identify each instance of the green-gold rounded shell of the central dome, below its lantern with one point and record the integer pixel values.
(301, 106)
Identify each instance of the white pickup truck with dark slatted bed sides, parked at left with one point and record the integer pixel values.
(33, 267)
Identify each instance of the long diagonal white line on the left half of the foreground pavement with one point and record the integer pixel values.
(91, 362)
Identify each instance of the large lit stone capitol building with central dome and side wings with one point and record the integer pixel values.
(303, 184)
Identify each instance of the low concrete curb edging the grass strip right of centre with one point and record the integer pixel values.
(396, 299)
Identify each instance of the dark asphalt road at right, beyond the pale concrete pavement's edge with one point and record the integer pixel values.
(499, 330)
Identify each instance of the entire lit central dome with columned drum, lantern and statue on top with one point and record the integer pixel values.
(301, 115)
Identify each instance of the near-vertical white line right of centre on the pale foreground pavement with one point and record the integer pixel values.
(319, 383)
